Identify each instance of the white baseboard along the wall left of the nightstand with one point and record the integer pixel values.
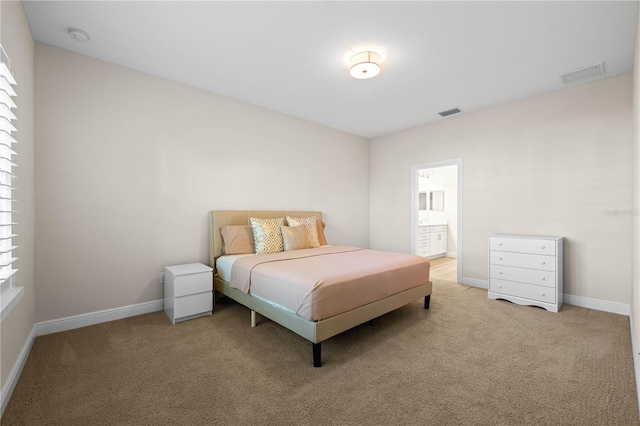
(91, 318)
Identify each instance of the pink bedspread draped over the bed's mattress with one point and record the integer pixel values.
(322, 282)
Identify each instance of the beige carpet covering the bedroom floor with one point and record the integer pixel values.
(468, 360)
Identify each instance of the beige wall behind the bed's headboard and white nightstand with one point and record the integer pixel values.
(128, 165)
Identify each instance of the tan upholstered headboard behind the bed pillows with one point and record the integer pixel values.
(220, 218)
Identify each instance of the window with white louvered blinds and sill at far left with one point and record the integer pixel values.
(9, 294)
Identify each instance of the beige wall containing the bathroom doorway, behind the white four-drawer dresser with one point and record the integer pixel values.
(551, 164)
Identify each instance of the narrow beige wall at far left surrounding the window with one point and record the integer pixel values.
(15, 37)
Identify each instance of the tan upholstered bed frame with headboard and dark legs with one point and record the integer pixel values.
(314, 331)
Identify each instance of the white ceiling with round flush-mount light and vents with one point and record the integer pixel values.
(292, 57)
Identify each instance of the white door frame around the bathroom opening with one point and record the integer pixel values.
(414, 206)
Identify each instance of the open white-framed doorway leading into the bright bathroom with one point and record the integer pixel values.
(436, 225)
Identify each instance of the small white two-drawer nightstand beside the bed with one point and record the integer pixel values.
(188, 291)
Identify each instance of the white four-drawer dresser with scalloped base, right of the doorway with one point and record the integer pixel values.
(526, 269)
